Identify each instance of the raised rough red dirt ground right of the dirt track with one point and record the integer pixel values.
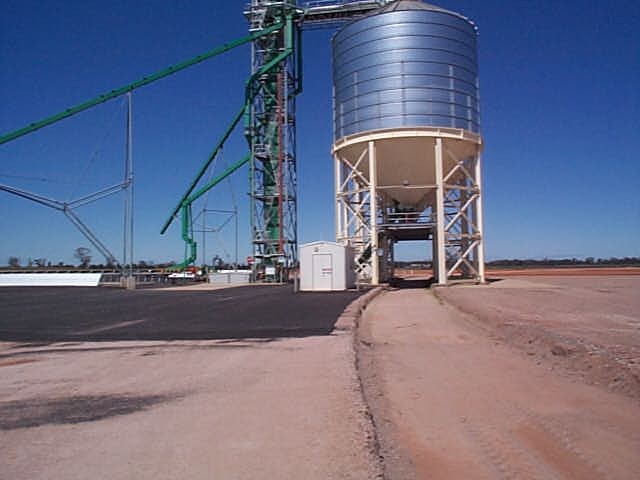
(584, 327)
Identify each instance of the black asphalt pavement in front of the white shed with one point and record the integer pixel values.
(73, 314)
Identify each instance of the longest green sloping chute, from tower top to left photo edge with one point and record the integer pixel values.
(32, 127)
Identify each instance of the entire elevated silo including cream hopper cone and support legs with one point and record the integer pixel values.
(406, 118)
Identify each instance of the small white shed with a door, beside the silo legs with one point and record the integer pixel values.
(326, 266)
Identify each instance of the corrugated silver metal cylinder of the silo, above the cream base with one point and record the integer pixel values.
(410, 64)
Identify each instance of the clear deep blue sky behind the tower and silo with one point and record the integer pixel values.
(560, 100)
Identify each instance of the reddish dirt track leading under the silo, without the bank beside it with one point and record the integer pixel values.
(450, 401)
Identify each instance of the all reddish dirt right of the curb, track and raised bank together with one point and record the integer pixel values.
(537, 380)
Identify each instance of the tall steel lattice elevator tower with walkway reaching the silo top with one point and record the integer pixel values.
(271, 126)
